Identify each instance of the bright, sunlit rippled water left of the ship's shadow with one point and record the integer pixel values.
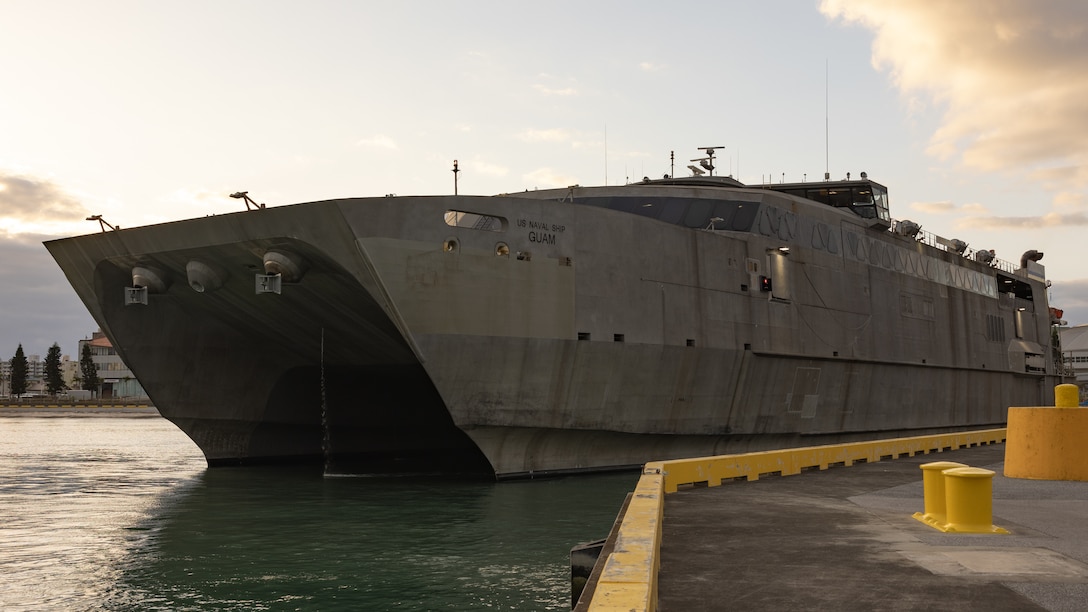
(70, 489)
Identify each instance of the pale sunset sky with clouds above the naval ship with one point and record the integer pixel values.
(972, 113)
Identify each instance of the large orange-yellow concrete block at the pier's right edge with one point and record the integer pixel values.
(1047, 444)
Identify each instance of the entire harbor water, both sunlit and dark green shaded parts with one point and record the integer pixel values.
(122, 515)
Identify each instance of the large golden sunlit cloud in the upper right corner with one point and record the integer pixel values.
(1011, 78)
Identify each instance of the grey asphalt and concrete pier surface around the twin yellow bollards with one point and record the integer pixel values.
(845, 540)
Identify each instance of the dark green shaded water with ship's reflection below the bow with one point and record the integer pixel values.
(251, 538)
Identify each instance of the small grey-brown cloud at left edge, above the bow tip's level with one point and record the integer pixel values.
(36, 205)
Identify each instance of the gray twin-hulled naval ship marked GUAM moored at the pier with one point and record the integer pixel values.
(564, 331)
